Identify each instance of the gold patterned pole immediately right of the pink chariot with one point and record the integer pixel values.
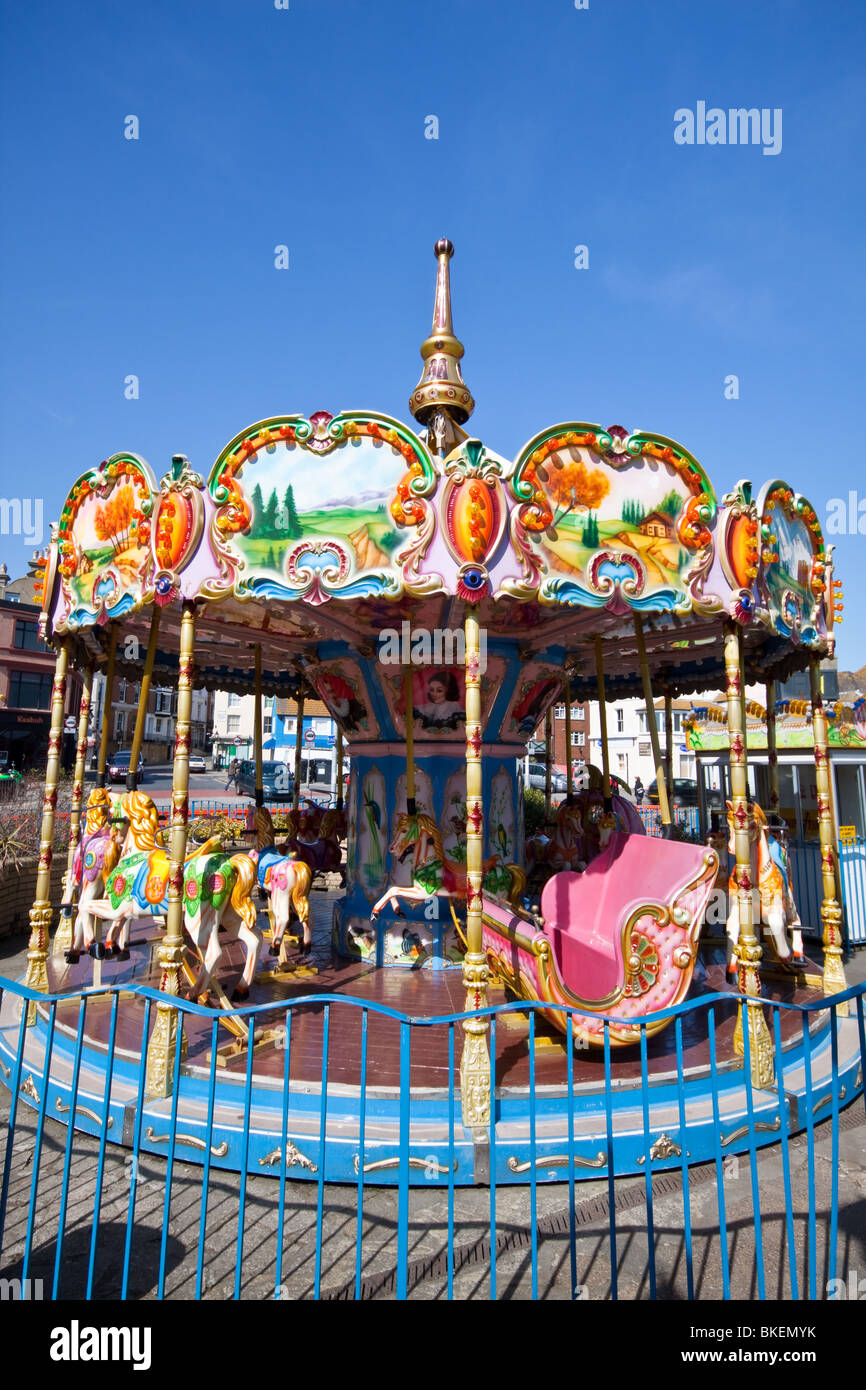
(749, 947)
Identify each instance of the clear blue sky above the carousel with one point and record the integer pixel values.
(307, 127)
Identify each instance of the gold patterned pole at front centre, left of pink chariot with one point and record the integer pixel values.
(475, 1063)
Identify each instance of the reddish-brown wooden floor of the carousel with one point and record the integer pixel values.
(420, 995)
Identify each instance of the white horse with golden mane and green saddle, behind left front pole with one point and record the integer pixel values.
(218, 893)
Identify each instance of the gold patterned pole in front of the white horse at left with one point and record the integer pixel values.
(165, 1038)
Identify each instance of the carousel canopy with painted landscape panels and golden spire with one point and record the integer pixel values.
(345, 534)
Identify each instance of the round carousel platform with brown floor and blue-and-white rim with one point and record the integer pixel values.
(386, 1092)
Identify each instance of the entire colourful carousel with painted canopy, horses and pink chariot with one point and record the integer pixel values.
(440, 598)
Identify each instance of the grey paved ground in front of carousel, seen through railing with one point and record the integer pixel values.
(245, 1218)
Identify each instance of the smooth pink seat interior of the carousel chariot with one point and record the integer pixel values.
(585, 914)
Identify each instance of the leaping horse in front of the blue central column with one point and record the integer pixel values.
(433, 875)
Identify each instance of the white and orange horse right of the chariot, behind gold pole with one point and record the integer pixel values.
(775, 900)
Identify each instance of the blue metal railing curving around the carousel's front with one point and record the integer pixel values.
(311, 1239)
